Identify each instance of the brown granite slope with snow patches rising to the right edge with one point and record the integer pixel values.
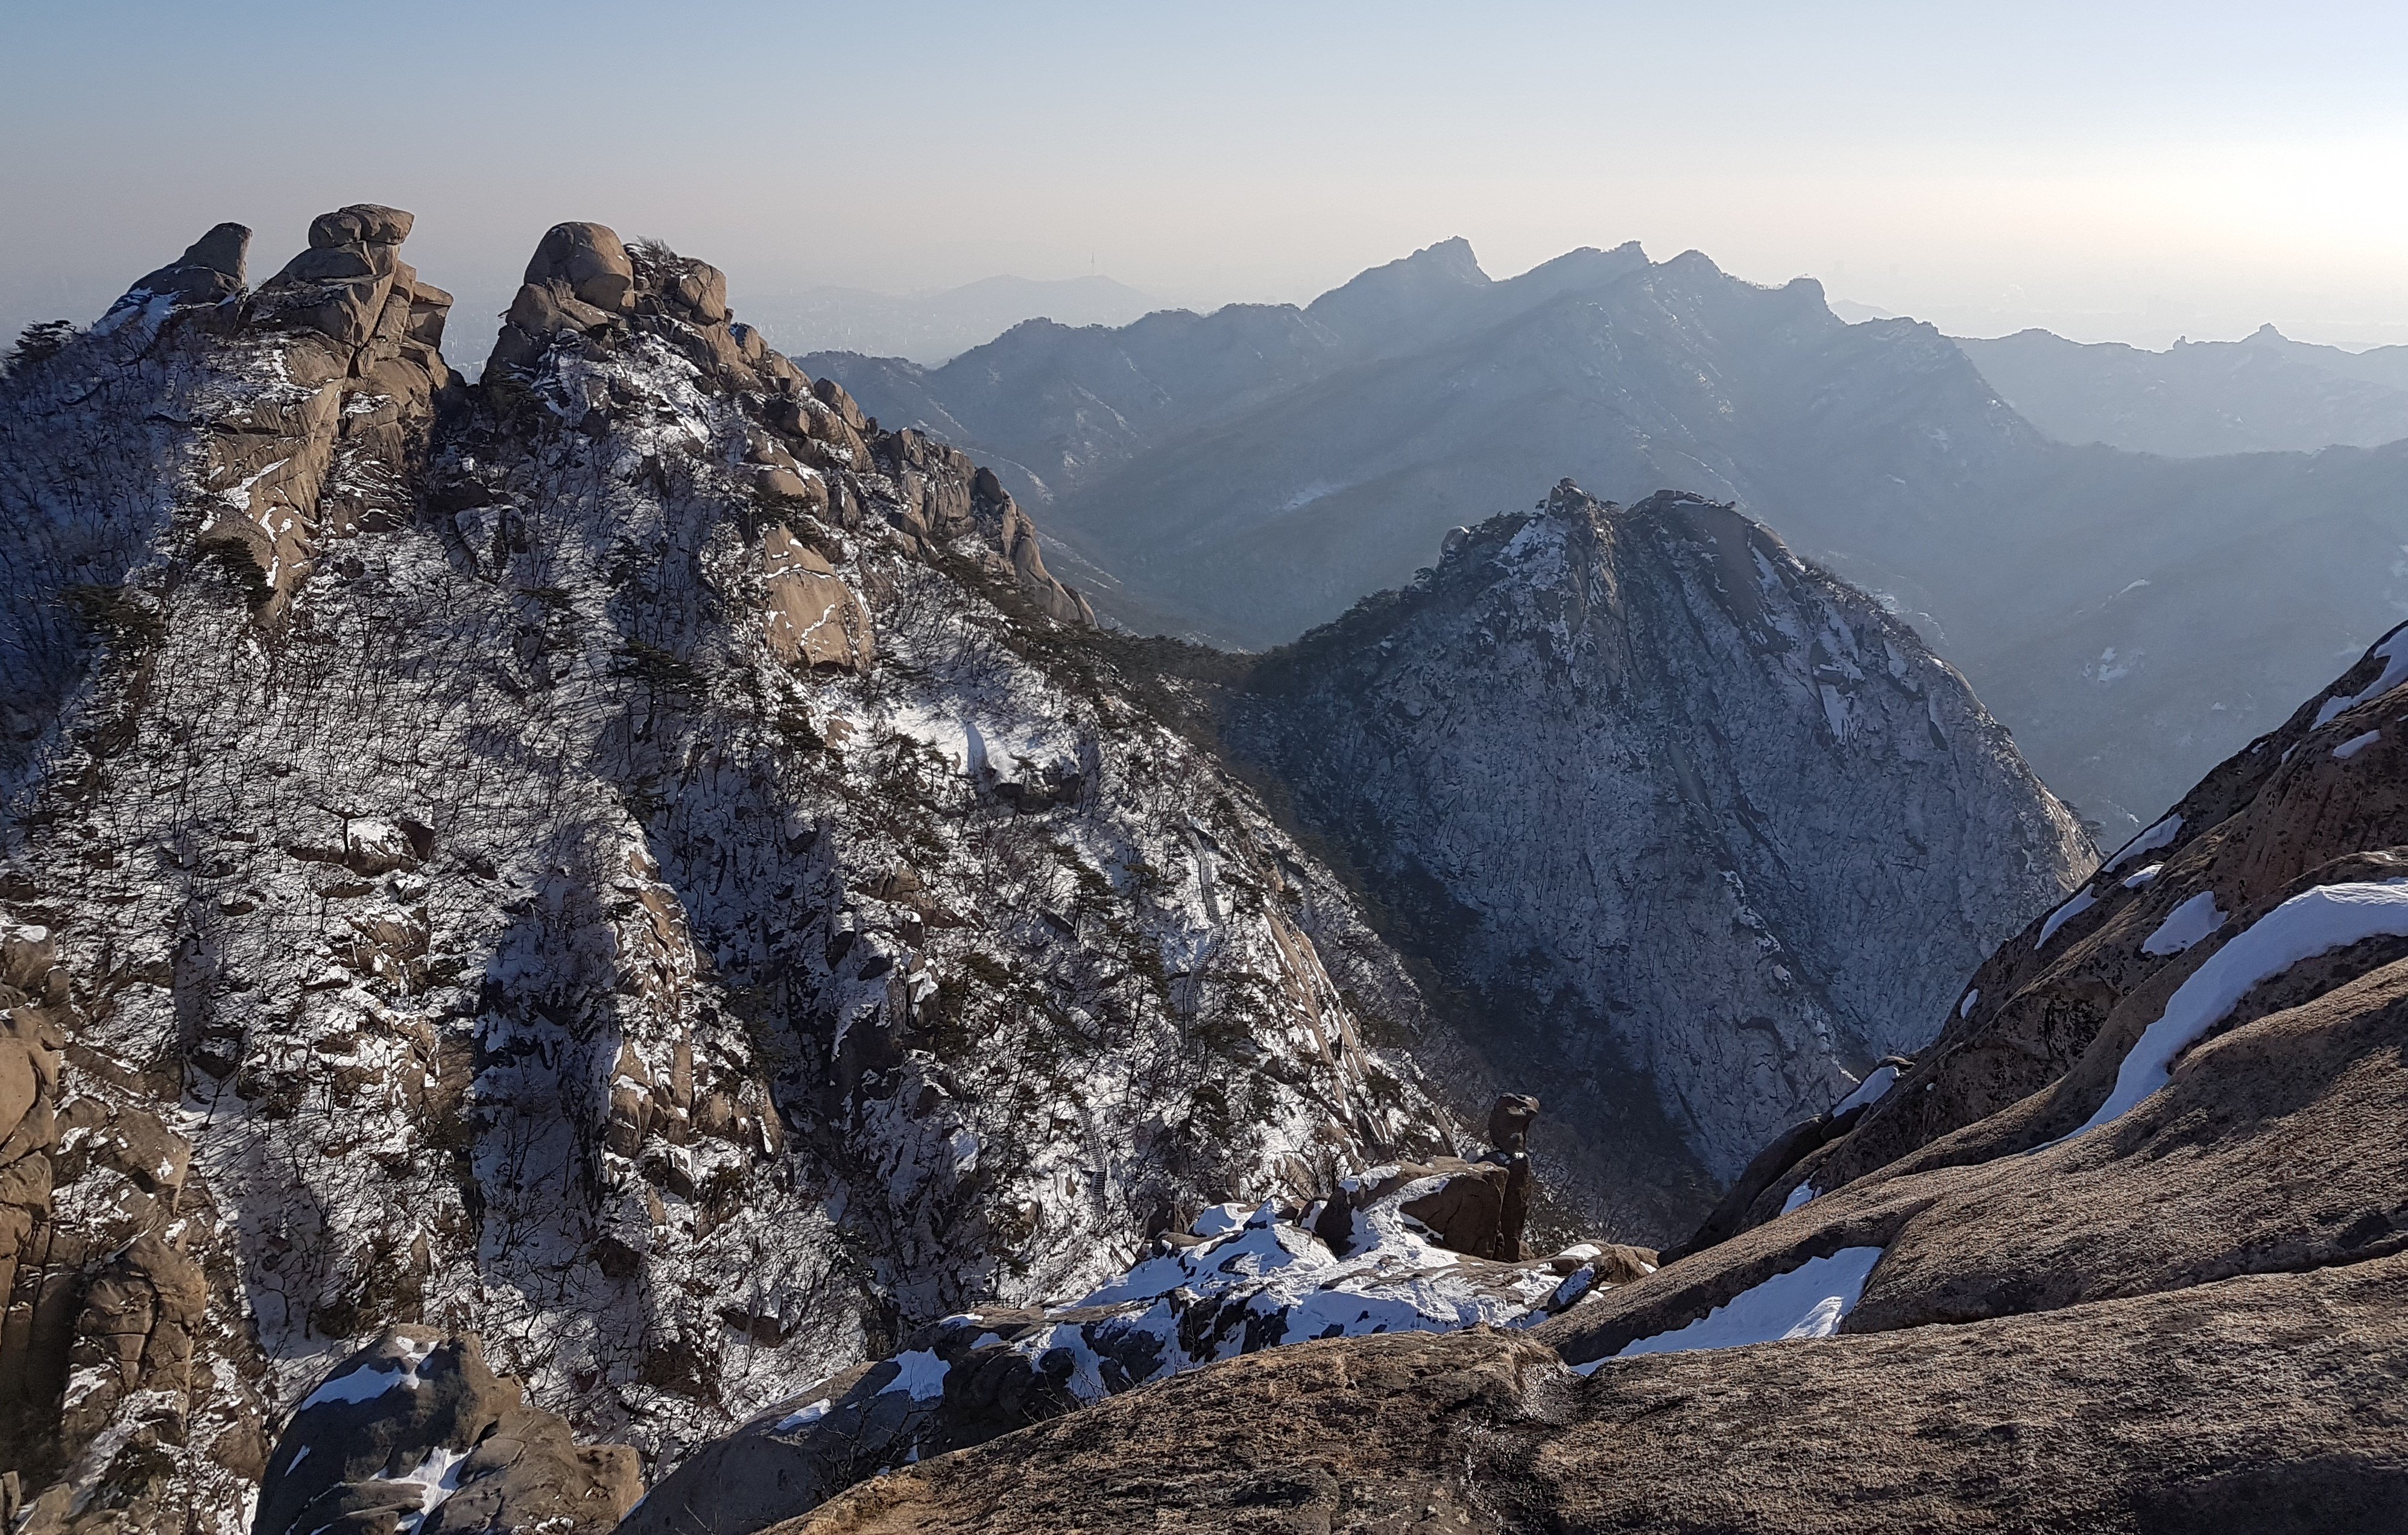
(2123, 1252)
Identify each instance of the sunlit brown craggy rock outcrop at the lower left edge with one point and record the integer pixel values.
(129, 1387)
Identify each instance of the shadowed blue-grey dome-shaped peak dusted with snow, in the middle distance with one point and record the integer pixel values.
(1706, 830)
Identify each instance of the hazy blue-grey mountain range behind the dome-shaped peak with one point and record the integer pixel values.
(1251, 474)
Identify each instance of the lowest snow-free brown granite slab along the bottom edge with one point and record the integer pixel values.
(2265, 1404)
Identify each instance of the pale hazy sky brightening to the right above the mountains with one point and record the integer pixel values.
(2115, 172)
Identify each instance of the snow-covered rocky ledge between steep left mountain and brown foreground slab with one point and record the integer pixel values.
(1386, 1252)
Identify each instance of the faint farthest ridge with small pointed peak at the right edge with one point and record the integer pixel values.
(2197, 399)
